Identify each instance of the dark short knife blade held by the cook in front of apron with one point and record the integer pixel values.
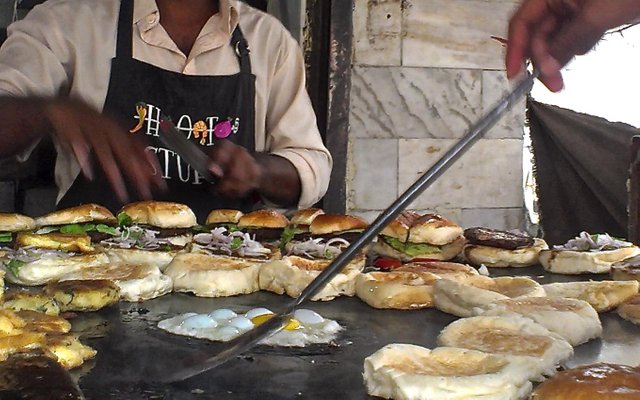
(175, 140)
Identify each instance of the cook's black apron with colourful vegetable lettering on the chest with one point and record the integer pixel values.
(196, 104)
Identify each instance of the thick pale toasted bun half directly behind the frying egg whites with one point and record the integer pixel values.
(212, 275)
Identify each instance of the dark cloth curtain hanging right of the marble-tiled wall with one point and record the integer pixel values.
(581, 165)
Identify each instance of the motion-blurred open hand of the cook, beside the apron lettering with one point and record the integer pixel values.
(83, 130)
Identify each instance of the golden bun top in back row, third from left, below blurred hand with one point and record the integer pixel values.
(161, 214)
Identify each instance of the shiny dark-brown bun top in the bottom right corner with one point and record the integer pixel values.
(592, 382)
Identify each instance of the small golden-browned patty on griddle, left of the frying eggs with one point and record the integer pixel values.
(89, 295)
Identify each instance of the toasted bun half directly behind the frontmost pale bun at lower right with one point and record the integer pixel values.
(516, 338)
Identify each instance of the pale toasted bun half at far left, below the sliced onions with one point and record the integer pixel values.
(51, 269)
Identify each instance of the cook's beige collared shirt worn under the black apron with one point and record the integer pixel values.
(65, 47)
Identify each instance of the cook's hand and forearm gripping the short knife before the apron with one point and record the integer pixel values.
(240, 173)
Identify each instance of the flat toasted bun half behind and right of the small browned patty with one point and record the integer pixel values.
(136, 282)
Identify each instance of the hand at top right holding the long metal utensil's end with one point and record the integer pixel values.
(552, 32)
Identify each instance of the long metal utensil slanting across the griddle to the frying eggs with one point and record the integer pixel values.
(249, 339)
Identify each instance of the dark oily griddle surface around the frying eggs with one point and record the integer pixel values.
(131, 348)
